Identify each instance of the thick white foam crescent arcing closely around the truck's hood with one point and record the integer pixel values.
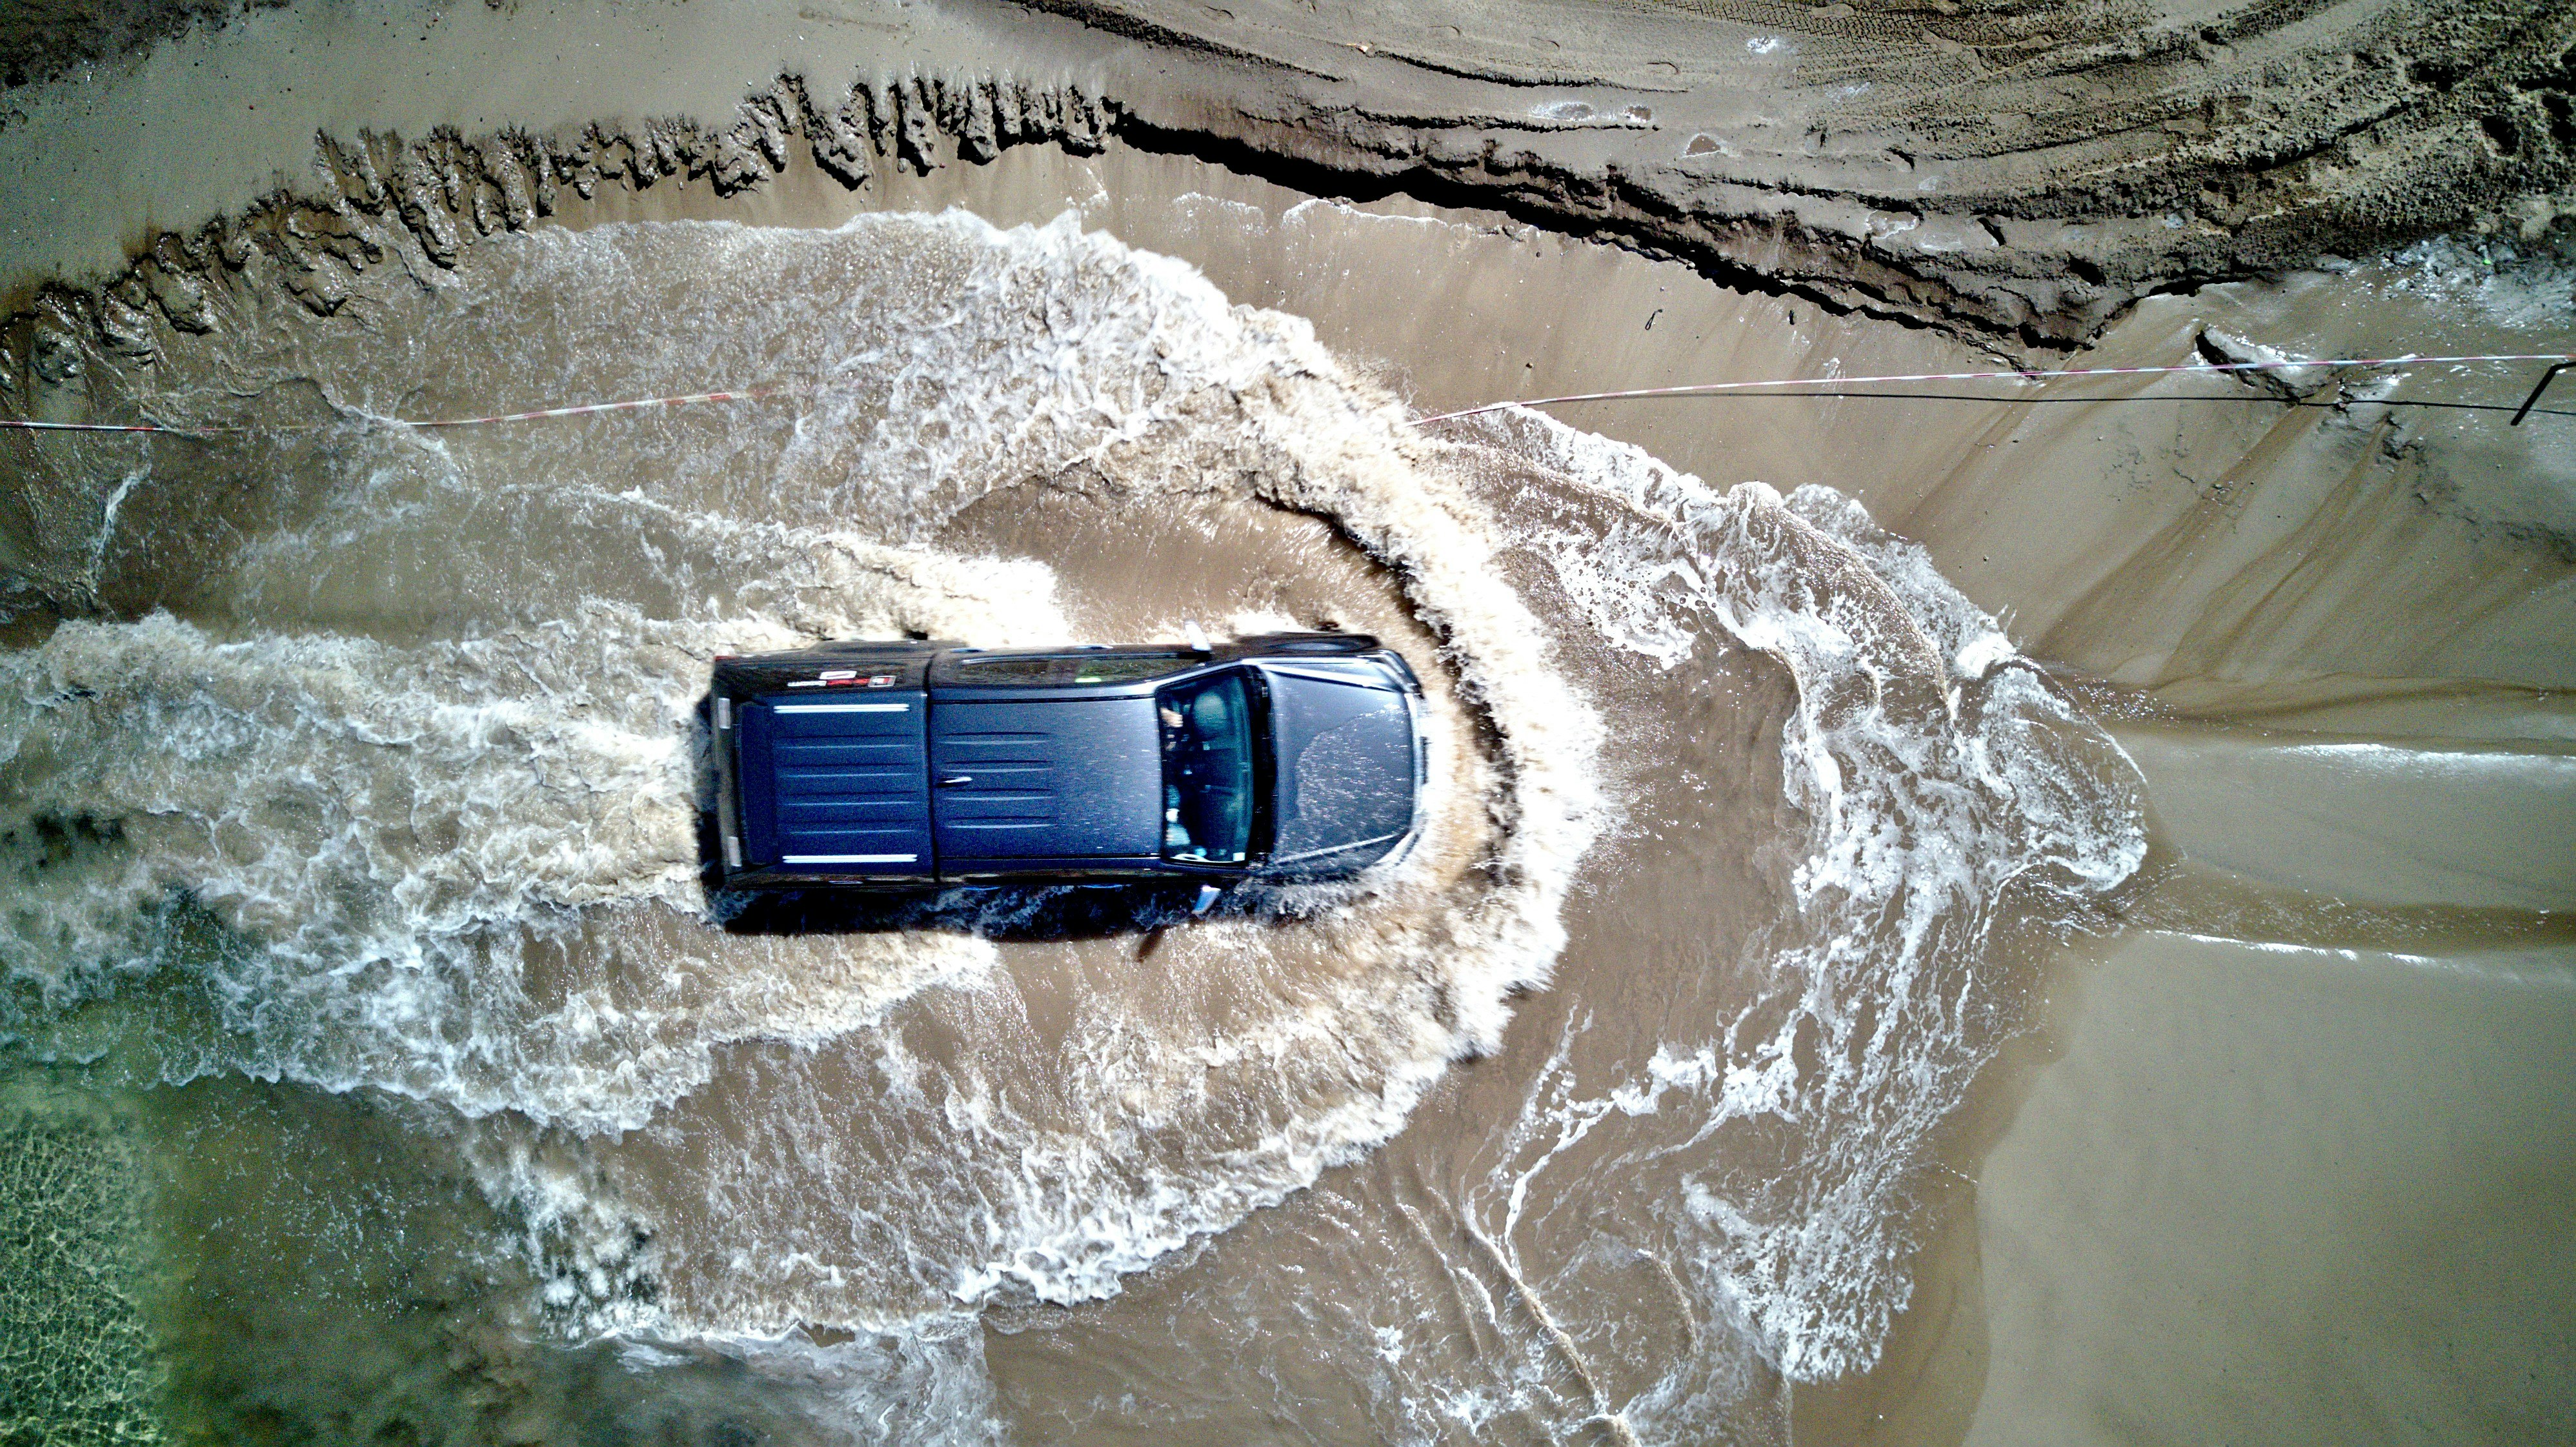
(1137, 369)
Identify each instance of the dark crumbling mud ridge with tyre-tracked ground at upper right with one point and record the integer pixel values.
(2016, 174)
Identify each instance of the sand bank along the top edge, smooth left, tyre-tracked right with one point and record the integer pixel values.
(2016, 176)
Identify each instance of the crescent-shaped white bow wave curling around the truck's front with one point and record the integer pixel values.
(1099, 369)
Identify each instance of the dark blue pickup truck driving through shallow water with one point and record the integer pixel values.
(911, 766)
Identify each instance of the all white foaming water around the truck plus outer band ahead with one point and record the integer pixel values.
(401, 794)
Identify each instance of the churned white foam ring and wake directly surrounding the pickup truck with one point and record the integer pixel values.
(470, 833)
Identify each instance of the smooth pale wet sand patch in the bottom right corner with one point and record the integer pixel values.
(2289, 1193)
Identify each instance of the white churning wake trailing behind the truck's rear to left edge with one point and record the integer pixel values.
(421, 869)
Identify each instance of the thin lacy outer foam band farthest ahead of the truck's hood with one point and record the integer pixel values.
(1936, 776)
